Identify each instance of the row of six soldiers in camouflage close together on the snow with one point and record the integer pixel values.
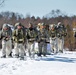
(20, 37)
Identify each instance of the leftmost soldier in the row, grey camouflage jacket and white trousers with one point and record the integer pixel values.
(6, 35)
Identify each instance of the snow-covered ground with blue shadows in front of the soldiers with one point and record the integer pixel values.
(60, 64)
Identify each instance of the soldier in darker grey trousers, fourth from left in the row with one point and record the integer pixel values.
(42, 39)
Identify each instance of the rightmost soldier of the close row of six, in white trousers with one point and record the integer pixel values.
(61, 33)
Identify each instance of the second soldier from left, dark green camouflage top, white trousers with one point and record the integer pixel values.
(19, 37)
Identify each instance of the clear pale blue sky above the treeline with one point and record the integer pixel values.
(39, 7)
